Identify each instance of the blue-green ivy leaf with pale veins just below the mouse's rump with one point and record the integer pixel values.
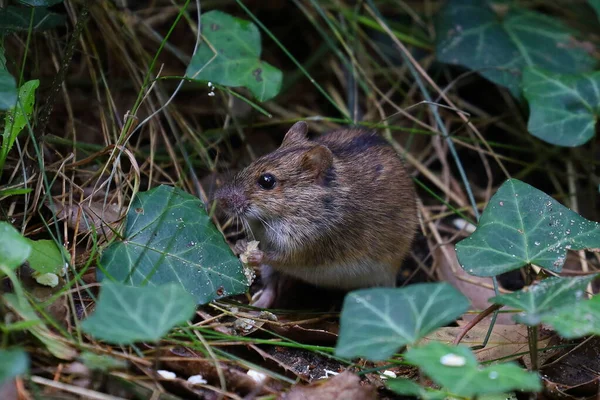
(376, 322)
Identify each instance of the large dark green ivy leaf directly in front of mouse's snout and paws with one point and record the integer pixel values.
(169, 237)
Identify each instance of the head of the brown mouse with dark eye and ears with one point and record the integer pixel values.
(281, 183)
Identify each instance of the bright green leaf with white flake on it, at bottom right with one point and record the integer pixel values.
(455, 368)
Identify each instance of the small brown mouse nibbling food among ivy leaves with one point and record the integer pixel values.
(338, 211)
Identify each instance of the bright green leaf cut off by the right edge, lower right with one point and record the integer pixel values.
(578, 320)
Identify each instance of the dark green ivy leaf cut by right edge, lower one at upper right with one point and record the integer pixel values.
(563, 108)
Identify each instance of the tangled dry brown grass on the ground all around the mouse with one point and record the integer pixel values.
(116, 129)
